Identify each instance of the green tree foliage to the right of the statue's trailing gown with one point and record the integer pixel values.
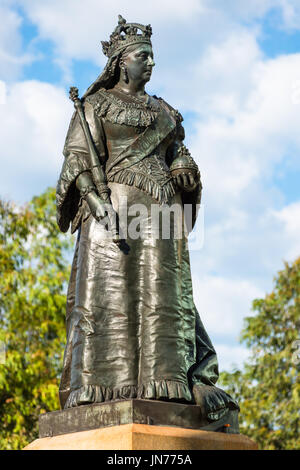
(268, 387)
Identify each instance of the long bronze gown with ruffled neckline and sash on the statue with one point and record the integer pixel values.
(132, 326)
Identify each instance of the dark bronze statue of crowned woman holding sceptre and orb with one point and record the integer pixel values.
(133, 331)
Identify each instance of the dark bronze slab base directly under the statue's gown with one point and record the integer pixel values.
(115, 413)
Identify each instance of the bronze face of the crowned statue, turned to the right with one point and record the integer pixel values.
(139, 63)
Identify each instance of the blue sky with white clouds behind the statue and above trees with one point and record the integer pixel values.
(233, 69)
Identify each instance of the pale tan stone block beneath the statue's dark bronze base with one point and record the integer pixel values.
(144, 437)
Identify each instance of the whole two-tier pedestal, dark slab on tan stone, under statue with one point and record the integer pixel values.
(138, 425)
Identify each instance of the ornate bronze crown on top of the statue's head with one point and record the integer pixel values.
(126, 34)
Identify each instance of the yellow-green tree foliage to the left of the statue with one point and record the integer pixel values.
(34, 270)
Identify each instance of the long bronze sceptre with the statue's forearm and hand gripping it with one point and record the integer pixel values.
(88, 191)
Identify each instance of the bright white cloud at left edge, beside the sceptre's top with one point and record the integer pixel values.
(34, 122)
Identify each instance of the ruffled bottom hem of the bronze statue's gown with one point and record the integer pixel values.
(154, 390)
